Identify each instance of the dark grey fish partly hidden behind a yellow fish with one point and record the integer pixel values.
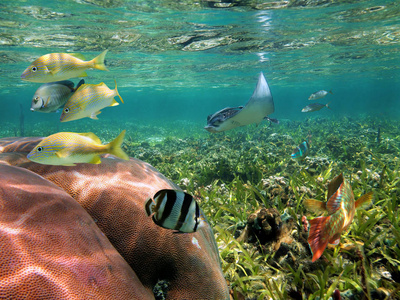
(49, 97)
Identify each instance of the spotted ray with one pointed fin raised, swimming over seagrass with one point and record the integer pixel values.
(257, 108)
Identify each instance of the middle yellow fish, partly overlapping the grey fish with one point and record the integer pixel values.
(88, 100)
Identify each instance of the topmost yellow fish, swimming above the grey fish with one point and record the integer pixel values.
(61, 66)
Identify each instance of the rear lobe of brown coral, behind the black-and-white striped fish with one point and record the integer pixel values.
(114, 193)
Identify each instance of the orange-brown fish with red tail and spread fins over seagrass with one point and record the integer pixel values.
(341, 209)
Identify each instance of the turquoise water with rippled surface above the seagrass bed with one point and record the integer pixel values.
(185, 60)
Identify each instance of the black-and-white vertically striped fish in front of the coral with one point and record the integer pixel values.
(176, 210)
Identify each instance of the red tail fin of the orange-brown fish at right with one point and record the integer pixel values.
(316, 238)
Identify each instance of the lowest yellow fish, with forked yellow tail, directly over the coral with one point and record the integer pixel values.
(69, 148)
